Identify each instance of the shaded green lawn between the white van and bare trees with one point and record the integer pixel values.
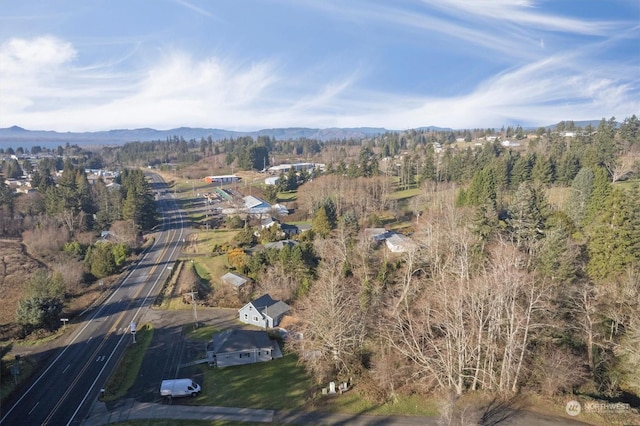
(280, 384)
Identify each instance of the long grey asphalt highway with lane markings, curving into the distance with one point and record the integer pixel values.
(63, 393)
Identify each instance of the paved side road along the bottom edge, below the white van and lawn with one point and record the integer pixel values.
(130, 409)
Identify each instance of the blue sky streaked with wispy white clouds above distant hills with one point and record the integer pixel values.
(253, 64)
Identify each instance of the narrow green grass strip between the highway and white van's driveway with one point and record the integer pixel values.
(127, 370)
